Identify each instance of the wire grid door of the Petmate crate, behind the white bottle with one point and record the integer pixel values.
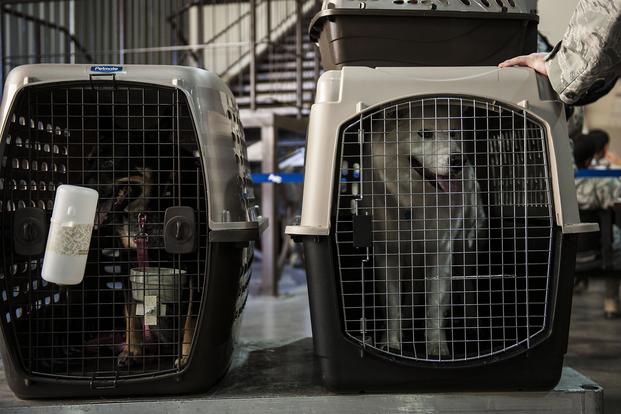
(137, 146)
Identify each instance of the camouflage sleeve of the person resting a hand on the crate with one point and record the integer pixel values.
(587, 59)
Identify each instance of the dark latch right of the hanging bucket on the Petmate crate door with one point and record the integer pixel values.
(179, 230)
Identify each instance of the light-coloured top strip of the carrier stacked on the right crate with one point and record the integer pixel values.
(484, 6)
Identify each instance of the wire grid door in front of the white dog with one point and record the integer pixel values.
(443, 229)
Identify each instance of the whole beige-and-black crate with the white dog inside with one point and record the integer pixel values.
(440, 249)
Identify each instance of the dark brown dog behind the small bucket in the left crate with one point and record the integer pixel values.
(135, 188)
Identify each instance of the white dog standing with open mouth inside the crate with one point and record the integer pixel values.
(426, 206)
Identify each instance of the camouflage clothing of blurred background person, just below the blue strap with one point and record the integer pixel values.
(597, 193)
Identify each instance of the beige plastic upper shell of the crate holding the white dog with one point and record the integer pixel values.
(344, 95)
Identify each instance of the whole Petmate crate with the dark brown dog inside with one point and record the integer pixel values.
(169, 254)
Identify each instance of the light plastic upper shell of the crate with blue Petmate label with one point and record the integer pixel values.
(216, 119)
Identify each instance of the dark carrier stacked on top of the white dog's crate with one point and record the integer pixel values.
(424, 32)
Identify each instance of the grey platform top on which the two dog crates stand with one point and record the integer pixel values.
(269, 378)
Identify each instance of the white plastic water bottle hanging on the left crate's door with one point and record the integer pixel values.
(70, 235)
